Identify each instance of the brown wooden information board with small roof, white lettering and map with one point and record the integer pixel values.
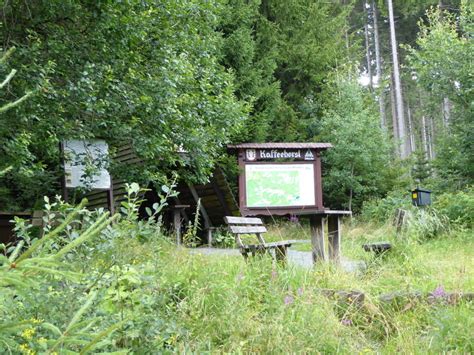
(279, 178)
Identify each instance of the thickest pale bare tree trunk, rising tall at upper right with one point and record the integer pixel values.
(398, 86)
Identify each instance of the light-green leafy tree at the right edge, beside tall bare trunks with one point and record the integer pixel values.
(443, 67)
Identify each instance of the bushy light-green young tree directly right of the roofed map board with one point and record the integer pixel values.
(357, 168)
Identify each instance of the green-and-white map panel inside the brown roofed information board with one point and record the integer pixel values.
(279, 185)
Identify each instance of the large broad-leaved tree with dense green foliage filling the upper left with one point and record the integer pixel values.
(126, 72)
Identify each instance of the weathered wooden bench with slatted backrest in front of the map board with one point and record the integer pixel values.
(254, 226)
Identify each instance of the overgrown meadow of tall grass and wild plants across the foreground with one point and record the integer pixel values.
(100, 284)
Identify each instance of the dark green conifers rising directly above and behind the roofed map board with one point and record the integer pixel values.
(281, 53)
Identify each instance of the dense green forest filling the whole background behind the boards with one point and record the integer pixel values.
(390, 85)
